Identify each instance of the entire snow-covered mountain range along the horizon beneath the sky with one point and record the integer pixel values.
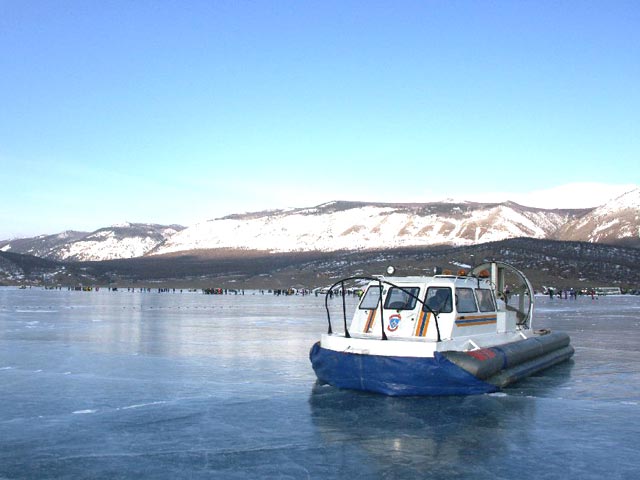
(347, 226)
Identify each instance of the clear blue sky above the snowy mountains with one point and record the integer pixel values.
(181, 111)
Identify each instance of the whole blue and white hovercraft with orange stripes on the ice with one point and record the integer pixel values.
(437, 335)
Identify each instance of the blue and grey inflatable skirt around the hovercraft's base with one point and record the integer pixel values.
(446, 373)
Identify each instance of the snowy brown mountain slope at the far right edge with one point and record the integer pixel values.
(617, 221)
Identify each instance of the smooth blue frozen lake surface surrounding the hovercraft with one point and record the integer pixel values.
(185, 385)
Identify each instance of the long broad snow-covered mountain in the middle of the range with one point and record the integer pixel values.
(358, 226)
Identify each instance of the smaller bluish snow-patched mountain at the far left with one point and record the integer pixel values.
(127, 240)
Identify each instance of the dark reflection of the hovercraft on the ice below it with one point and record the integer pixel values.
(405, 437)
